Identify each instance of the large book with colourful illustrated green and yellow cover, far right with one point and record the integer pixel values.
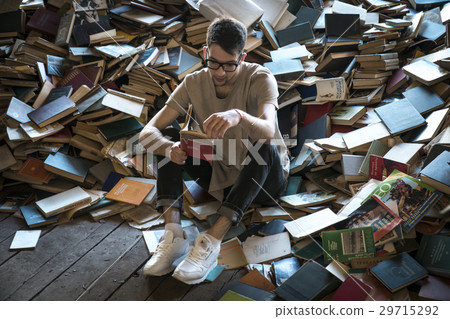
(413, 197)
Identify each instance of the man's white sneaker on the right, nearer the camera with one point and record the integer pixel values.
(201, 260)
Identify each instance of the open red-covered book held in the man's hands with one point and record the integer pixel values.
(195, 144)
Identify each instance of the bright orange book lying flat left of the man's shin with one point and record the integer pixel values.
(130, 192)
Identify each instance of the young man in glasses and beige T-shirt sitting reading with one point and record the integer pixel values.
(234, 102)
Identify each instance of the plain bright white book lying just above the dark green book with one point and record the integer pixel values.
(313, 223)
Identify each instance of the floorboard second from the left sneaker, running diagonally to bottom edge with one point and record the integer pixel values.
(74, 281)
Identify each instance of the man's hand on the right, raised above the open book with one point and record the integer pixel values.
(217, 124)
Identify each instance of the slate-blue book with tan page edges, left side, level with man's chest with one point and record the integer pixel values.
(53, 111)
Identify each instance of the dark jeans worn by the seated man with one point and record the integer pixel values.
(238, 197)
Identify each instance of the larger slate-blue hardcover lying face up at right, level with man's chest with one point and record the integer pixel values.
(400, 116)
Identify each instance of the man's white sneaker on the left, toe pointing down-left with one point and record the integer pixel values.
(169, 253)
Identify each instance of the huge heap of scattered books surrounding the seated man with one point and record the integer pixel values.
(364, 109)
